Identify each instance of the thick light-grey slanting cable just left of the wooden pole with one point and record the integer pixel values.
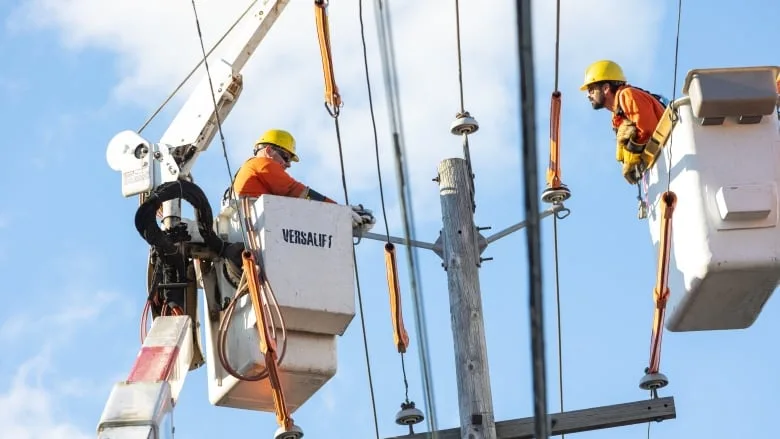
(384, 30)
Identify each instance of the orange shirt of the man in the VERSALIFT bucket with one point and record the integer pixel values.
(263, 175)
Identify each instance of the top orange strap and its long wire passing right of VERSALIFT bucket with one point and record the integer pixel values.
(332, 104)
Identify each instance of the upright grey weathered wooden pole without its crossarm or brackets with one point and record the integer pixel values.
(461, 260)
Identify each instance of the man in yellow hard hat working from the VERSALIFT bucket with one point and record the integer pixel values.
(266, 173)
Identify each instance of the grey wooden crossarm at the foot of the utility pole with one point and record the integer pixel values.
(577, 421)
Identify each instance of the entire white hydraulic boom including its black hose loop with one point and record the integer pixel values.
(161, 174)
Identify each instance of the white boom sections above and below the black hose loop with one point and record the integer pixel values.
(140, 407)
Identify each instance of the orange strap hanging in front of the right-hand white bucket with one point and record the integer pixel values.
(661, 291)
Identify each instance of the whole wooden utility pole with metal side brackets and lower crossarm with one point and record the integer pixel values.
(460, 245)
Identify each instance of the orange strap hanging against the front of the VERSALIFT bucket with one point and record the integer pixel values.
(267, 344)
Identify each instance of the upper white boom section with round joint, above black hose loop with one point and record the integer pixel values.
(145, 165)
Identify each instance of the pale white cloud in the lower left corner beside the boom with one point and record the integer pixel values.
(38, 400)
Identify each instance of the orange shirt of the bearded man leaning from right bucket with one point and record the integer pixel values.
(638, 107)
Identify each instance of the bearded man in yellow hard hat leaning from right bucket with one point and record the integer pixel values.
(635, 114)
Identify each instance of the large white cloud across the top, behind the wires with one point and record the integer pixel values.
(156, 44)
